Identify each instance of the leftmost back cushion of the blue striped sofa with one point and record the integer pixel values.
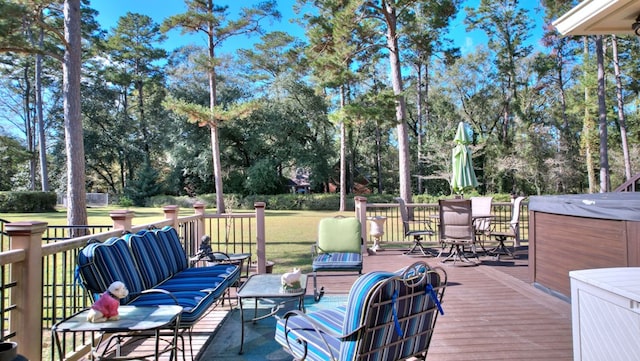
(103, 263)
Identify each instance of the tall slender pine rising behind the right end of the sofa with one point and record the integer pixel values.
(204, 16)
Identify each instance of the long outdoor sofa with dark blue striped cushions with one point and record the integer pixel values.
(155, 268)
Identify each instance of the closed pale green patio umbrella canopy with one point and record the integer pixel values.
(463, 175)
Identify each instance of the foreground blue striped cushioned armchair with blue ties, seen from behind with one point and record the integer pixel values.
(388, 316)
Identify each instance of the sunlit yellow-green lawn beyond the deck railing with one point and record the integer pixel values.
(289, 234)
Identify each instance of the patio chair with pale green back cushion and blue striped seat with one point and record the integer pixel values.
(338, 248)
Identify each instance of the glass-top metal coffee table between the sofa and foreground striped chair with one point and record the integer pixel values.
(268, 287)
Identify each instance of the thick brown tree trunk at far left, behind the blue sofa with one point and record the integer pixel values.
(71, 68)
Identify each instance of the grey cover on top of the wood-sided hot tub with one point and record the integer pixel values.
(624, 206)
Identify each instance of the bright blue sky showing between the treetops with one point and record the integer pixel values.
(158, 10)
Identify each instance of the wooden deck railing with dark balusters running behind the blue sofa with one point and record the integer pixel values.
(38, 272)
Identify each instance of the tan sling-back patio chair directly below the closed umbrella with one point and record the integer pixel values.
(456, 229)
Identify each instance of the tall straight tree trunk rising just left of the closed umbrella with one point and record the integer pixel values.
(396, 79)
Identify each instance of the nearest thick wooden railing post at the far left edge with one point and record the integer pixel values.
(26, 320)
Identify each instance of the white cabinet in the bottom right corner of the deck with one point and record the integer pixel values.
(605, 310)
